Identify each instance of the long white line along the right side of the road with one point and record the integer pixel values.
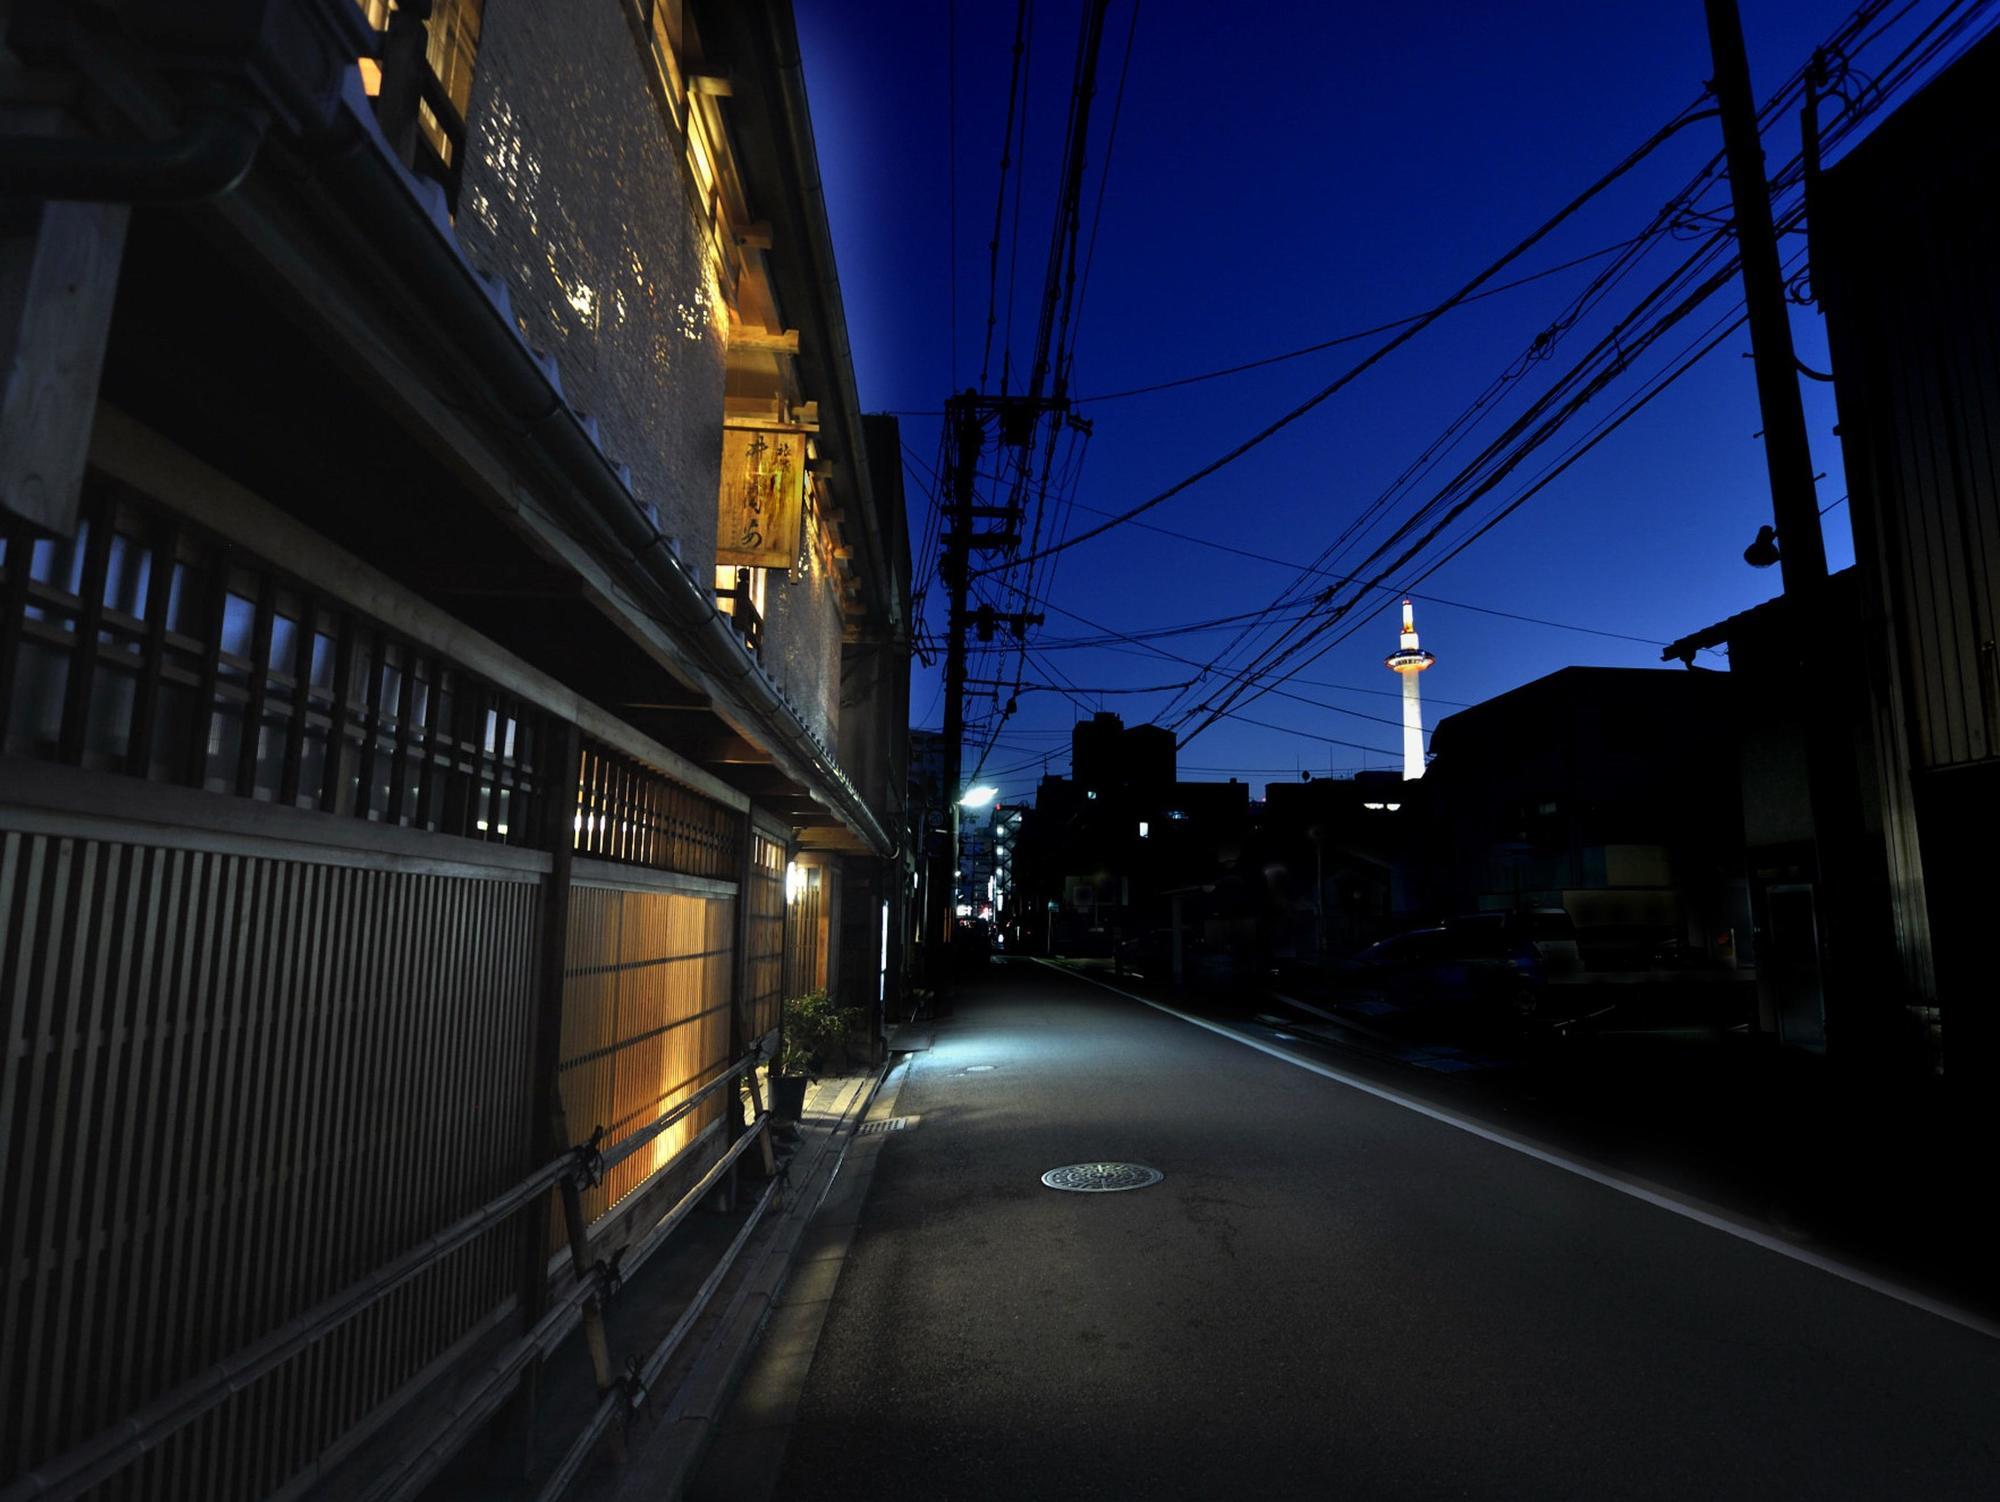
(1637, 1189)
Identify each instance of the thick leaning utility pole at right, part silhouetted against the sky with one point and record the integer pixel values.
(1787, 453)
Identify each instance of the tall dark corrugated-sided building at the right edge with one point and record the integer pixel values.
(1905, 245)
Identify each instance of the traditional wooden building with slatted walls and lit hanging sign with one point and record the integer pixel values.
(453, 685)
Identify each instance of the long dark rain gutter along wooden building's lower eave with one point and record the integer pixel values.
(371, 189)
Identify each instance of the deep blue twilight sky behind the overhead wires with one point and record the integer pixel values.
(1287, 173)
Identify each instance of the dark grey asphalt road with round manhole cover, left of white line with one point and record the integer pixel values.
(1327, 1297)
